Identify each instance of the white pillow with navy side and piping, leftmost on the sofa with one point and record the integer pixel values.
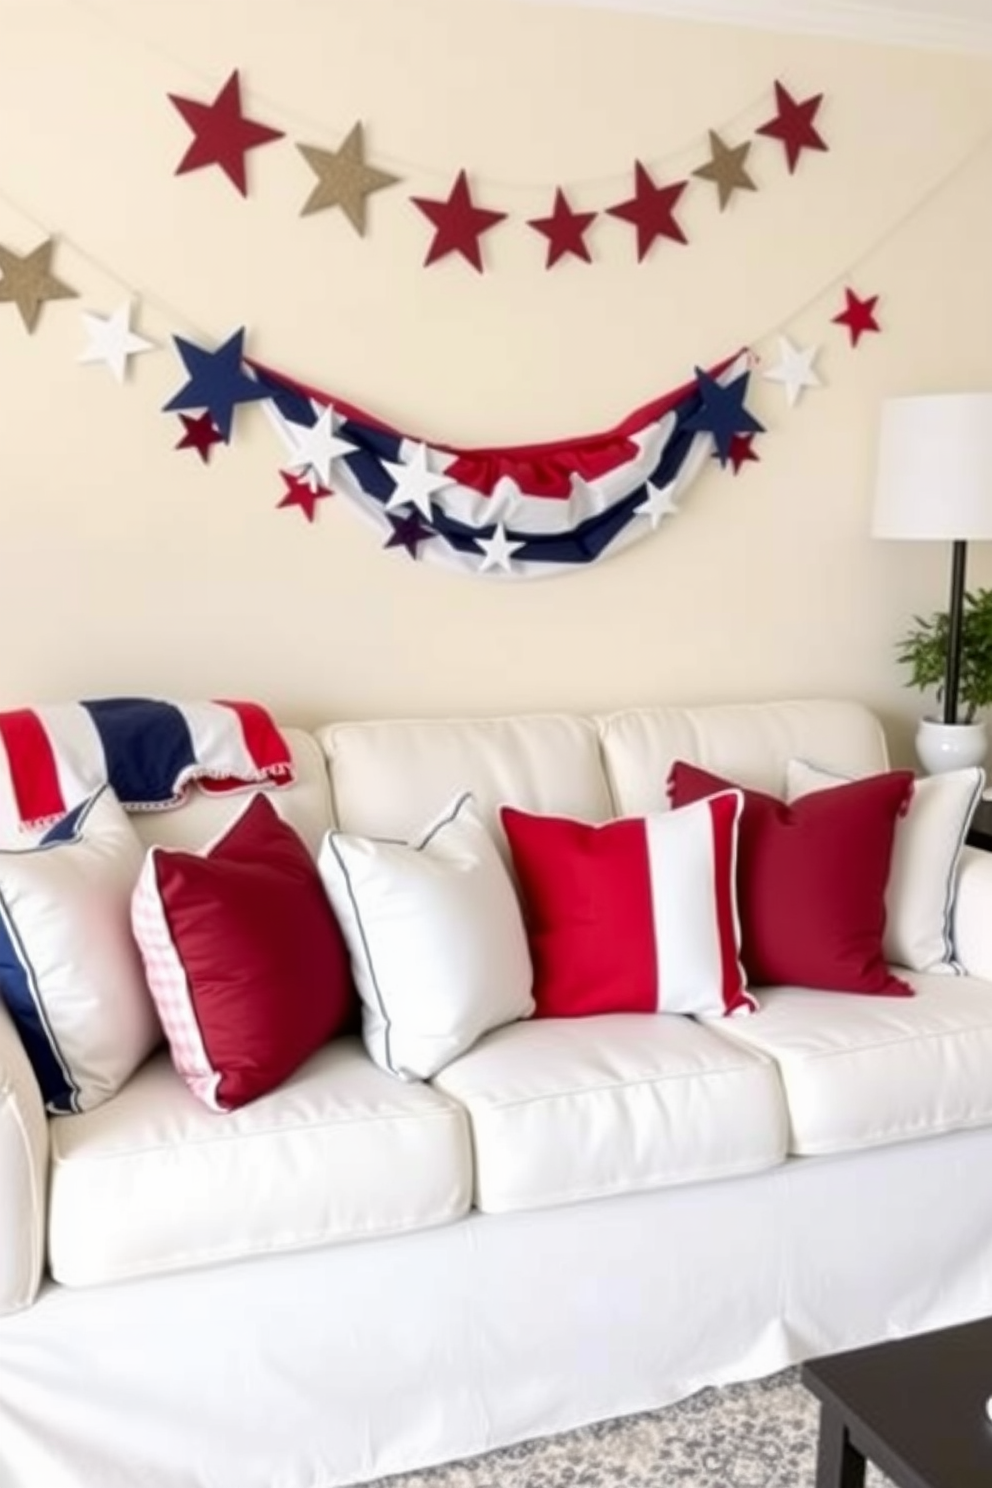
(71, 971)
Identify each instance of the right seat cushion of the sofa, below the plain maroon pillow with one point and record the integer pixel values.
(860, 1072)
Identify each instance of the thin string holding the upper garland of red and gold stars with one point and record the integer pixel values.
(743, 123)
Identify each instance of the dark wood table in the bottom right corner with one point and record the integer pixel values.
(917, 1408)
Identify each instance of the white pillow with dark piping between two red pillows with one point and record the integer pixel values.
(437, 940)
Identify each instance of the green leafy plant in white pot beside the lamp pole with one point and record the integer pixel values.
(924, 651)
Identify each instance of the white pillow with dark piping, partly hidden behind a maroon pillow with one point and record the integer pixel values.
(924, 871)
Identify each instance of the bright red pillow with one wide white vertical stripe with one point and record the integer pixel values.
(633, 916)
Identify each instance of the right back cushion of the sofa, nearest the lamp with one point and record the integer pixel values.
(749, 743)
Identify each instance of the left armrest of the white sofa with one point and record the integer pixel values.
(25, 1152)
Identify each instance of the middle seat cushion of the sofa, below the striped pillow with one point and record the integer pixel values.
(575, 1109)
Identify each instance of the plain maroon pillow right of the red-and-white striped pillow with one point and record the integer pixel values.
(811, 880)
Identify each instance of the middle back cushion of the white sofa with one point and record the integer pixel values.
(390, 777)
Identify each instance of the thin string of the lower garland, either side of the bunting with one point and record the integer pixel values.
(178, 318)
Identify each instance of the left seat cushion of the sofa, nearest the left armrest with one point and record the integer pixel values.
(155, 1182)
